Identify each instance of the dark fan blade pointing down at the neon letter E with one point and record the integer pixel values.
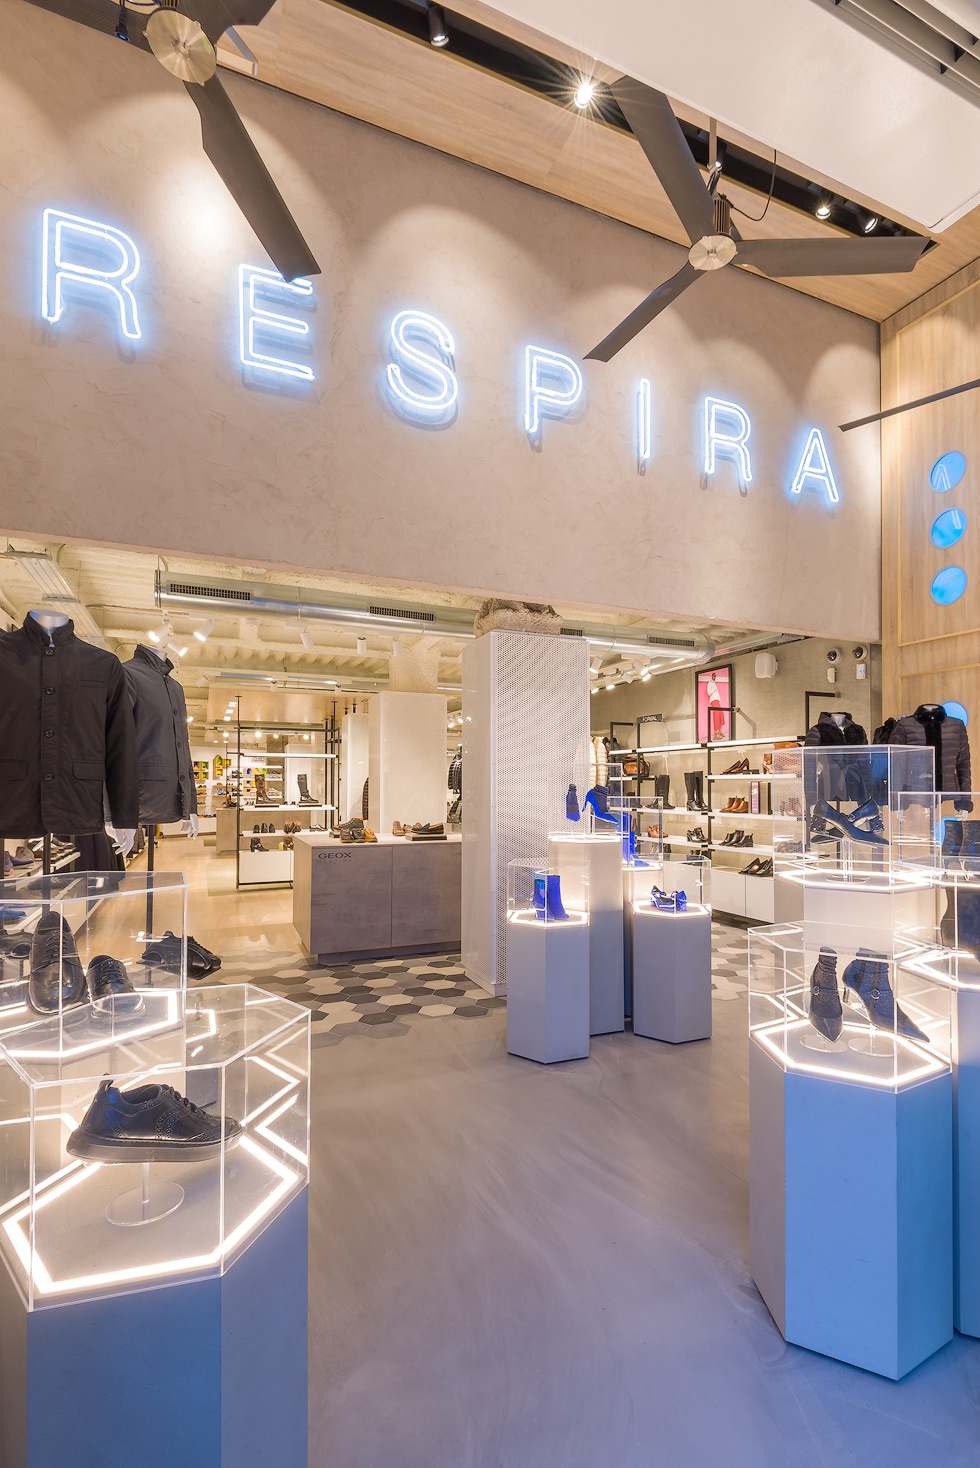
(249, 181)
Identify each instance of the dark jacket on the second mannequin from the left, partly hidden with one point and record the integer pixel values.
(167, 771)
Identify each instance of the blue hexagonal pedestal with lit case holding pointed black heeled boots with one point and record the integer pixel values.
(850, 1116)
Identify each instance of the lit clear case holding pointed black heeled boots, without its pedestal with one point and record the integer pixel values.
(846, 1011)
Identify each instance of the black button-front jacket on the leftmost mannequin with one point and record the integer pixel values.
(65, 732)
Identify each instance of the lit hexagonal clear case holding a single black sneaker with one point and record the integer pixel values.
(84, 1215)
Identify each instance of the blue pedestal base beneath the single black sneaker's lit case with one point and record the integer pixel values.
(211, 1375)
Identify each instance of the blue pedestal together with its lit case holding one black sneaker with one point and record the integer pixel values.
(153, 1307)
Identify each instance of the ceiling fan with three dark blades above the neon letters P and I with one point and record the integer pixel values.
(708, 219)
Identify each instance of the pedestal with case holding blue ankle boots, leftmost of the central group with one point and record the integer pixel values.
(548, 959)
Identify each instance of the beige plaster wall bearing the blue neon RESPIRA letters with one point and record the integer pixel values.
(169, 443)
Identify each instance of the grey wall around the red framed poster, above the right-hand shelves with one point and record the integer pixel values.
(768, 707)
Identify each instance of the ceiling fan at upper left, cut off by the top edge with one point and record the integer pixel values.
(183, 37)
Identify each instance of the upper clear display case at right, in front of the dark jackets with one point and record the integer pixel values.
(835, 810)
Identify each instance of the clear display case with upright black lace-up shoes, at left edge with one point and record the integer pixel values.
(55, 930)
